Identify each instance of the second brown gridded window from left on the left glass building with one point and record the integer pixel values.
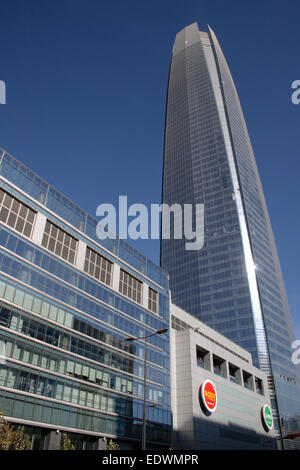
(59, 242)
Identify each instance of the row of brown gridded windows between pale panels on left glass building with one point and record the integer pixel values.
(20, 217)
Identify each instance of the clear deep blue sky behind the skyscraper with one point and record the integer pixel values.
(86, 91)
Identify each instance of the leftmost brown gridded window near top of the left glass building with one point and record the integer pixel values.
(16, 214)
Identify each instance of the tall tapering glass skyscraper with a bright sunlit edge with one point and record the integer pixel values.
(234, 283)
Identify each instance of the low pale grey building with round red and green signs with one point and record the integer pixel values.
(200, 355)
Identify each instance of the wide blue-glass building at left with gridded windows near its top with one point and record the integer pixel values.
(67, 303)
